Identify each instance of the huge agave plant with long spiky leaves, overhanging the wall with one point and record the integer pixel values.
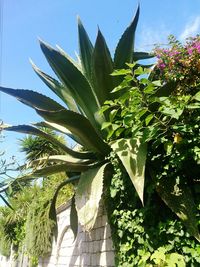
(83, 87)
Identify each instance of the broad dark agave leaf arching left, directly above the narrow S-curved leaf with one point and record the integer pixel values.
(79, 126)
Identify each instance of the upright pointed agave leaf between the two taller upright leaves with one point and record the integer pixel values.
(102, 68)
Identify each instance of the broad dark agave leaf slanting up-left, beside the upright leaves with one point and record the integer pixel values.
(73, 79)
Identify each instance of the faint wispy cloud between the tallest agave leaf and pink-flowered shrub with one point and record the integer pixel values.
(149, 37)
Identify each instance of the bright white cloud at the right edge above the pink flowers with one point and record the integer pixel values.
(191, 29)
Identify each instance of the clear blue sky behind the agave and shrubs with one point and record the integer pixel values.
(55, 22)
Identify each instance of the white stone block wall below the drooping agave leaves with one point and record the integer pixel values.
(89, 249)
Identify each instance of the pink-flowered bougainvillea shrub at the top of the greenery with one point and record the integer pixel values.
(180, 63)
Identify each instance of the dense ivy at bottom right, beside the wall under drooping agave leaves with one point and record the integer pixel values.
(150, 235)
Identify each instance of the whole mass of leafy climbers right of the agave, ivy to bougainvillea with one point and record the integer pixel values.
(161, 109)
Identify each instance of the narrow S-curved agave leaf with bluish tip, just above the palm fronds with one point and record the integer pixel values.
(27, 129)
